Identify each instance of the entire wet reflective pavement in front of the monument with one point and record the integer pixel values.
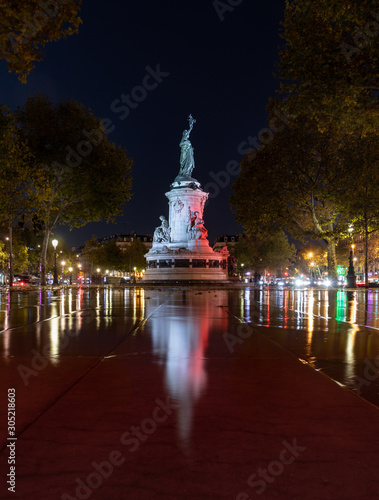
(186, 393)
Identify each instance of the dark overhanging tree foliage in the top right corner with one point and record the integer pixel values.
(329, 62)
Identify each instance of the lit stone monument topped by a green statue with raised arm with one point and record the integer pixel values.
(180, 248)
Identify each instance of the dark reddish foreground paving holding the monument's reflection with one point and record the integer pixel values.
(171, 413)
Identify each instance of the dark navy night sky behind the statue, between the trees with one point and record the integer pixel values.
(220, 71)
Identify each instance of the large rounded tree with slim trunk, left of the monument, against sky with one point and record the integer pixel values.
(79, 176)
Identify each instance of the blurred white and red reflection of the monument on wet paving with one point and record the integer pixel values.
(179, 344)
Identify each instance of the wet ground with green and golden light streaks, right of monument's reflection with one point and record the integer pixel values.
(336, 331)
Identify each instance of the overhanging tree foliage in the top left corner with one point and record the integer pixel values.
(26, 26)
